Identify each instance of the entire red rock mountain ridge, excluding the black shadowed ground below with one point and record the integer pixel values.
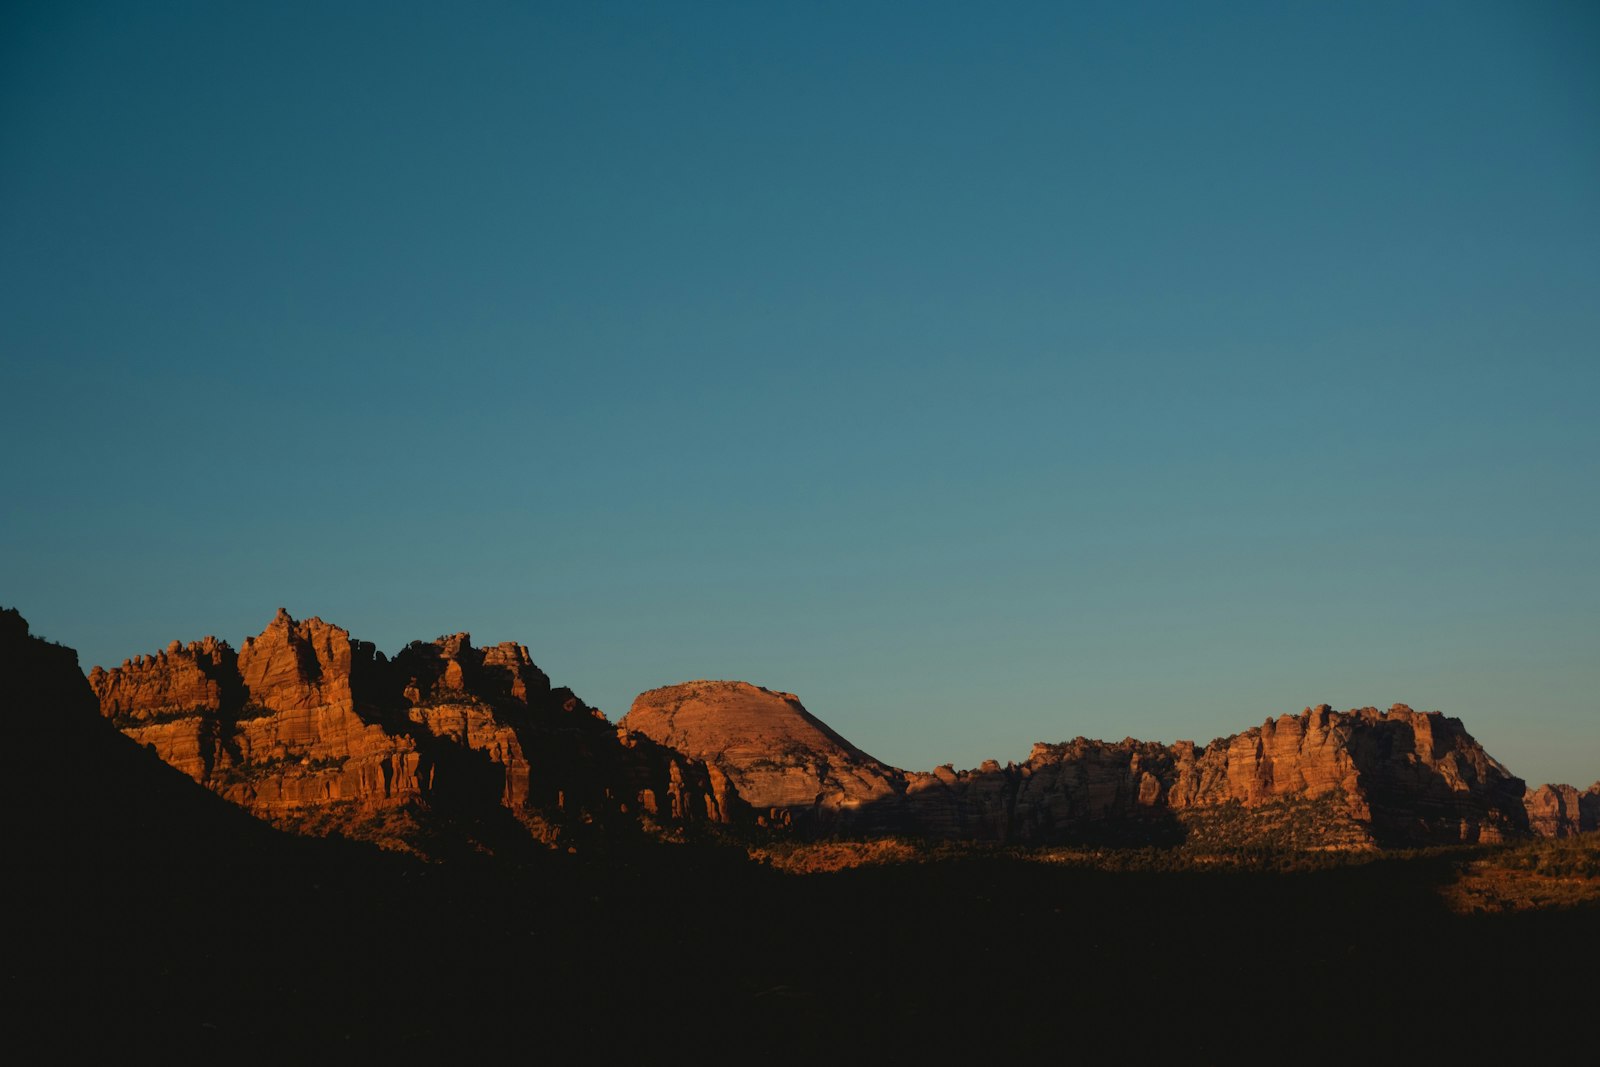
(454, 746)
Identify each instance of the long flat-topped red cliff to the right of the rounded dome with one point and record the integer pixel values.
(1319, 780)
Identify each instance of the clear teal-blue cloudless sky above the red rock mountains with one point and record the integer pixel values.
(982, 374)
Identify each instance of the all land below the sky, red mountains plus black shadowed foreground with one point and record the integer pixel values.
(194, 876)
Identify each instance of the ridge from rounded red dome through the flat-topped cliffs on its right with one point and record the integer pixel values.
(1318, 780)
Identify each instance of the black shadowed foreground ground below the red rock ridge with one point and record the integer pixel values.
(151, 917)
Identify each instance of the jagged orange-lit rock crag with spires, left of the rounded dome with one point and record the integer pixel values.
(306, 721)
